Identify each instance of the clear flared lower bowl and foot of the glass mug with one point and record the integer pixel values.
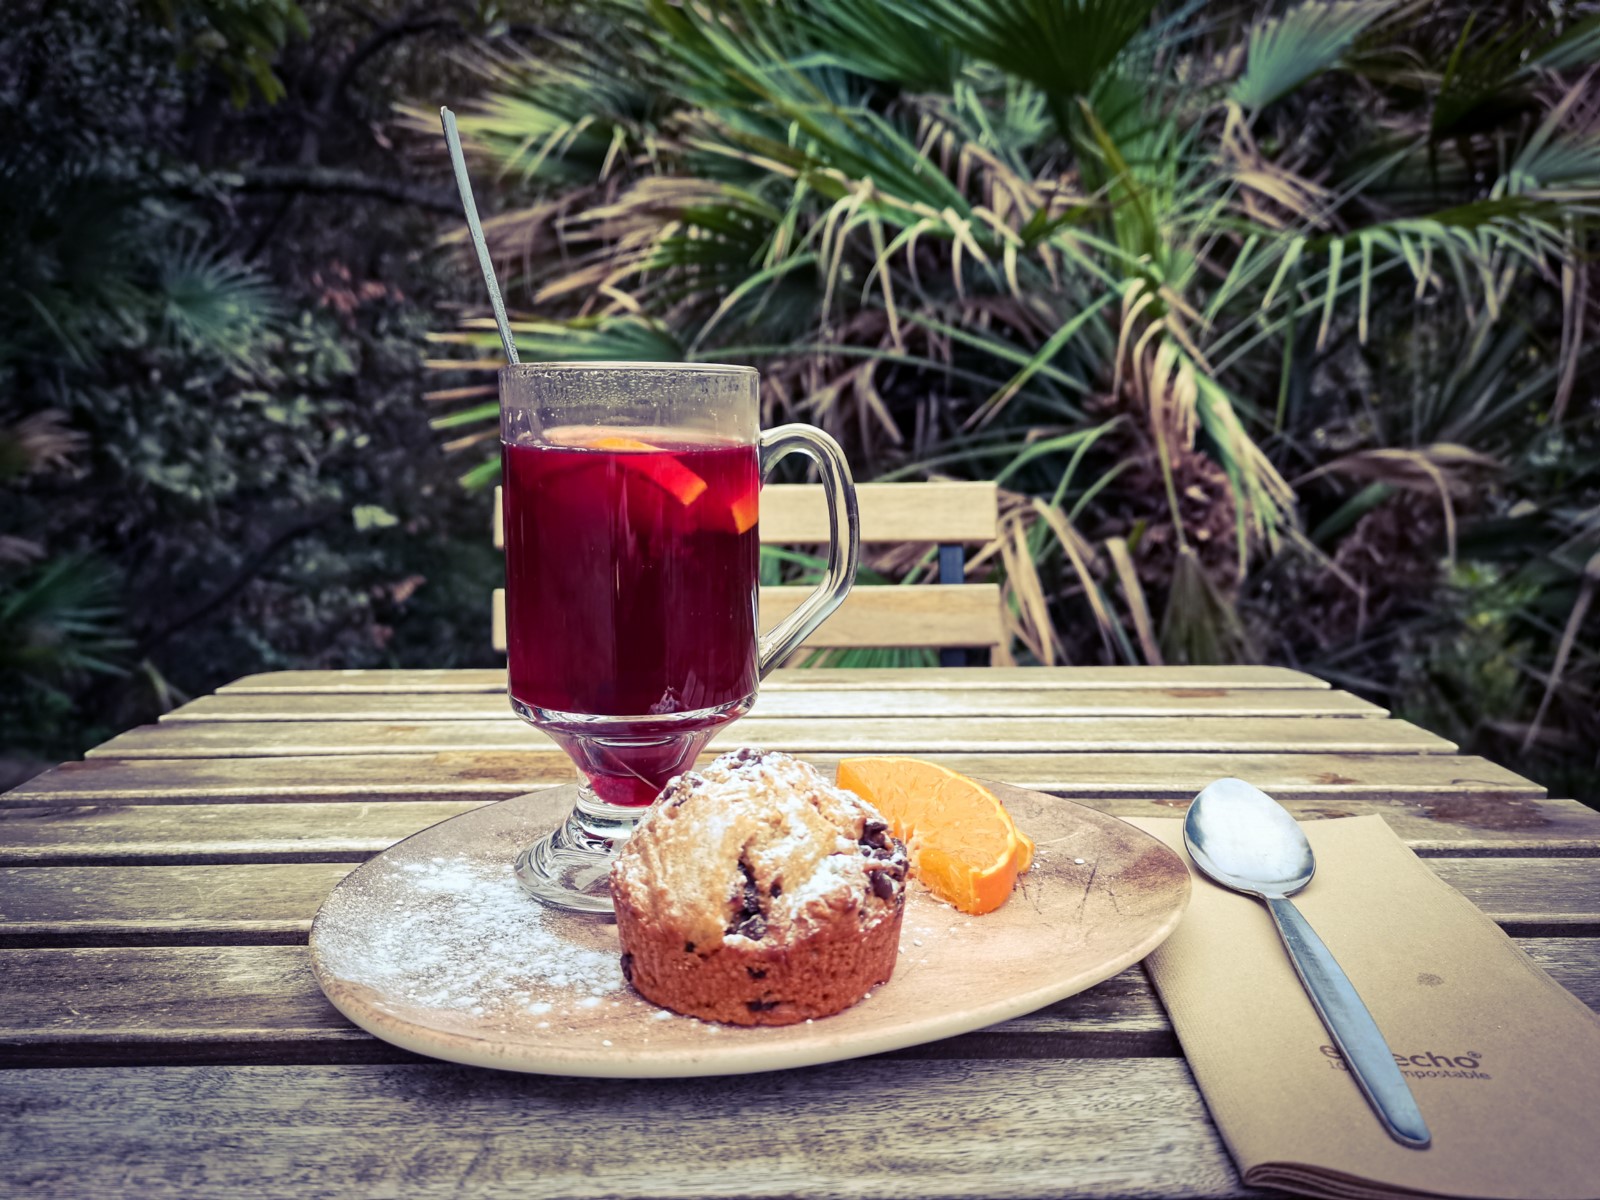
(617, 758)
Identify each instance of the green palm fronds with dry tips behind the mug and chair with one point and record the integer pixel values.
(1266, 319)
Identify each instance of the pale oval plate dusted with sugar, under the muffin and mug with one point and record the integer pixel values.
(433, 946)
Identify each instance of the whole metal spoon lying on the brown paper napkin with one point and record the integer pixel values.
(1249, 842)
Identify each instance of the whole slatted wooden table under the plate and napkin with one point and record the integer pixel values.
(166, 1036)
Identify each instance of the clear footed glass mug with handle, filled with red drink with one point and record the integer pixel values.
(631, 502)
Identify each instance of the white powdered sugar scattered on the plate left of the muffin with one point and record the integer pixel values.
(460, 935)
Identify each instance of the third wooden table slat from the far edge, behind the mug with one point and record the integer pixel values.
(802, 735)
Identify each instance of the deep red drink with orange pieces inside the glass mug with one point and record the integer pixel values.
(631, 570)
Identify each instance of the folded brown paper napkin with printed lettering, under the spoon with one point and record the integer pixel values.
(1503, 1062)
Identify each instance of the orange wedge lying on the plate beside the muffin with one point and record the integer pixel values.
(962, 842)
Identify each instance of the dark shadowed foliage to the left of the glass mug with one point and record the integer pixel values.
(214, 447)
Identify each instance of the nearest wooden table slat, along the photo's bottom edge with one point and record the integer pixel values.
(943, 1129)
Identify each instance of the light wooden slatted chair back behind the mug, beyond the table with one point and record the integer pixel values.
(951, 617)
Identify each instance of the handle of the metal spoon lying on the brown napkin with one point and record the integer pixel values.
(1351, 1026)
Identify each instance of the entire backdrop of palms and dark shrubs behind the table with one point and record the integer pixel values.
(1274, 321)
